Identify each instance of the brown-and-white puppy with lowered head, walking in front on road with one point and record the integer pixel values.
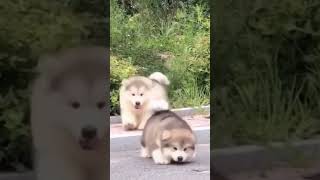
(168, 138)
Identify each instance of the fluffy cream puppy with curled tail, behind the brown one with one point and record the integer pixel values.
(140, 96)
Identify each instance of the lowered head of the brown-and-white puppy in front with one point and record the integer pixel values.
(179, 144)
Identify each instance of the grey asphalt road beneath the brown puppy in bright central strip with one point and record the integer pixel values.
(127, 165)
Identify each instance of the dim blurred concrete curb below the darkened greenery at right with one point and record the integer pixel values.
(245, 158)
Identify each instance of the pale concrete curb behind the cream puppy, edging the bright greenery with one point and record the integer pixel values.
(181, 112)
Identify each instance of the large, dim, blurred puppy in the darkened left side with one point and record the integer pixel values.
(69, 114)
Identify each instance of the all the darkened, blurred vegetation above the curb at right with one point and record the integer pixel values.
(267, 80)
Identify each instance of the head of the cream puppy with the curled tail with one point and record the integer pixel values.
(136, 91)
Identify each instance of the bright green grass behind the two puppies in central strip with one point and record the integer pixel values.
(173, 41)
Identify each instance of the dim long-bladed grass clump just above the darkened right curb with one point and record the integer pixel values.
(263, 111)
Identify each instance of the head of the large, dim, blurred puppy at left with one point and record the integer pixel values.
(76, 85)
